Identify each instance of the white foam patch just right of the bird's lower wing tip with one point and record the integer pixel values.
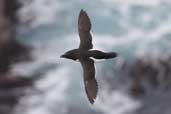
(116, 102)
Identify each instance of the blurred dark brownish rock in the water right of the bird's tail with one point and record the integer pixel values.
(149, 73)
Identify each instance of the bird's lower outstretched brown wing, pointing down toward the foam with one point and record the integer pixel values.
(90, 82)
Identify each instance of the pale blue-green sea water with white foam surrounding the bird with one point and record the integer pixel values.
(132, 28)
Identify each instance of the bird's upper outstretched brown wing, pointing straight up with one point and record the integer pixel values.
(84, 27)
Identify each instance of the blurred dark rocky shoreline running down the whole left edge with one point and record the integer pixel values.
(11, 52)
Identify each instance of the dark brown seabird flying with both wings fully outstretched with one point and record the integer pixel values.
(84, 54)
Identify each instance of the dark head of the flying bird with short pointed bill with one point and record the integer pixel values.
(69, 55)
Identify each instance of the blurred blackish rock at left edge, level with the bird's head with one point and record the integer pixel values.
(11, 53)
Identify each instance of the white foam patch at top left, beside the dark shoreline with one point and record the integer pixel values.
(40, 12)
